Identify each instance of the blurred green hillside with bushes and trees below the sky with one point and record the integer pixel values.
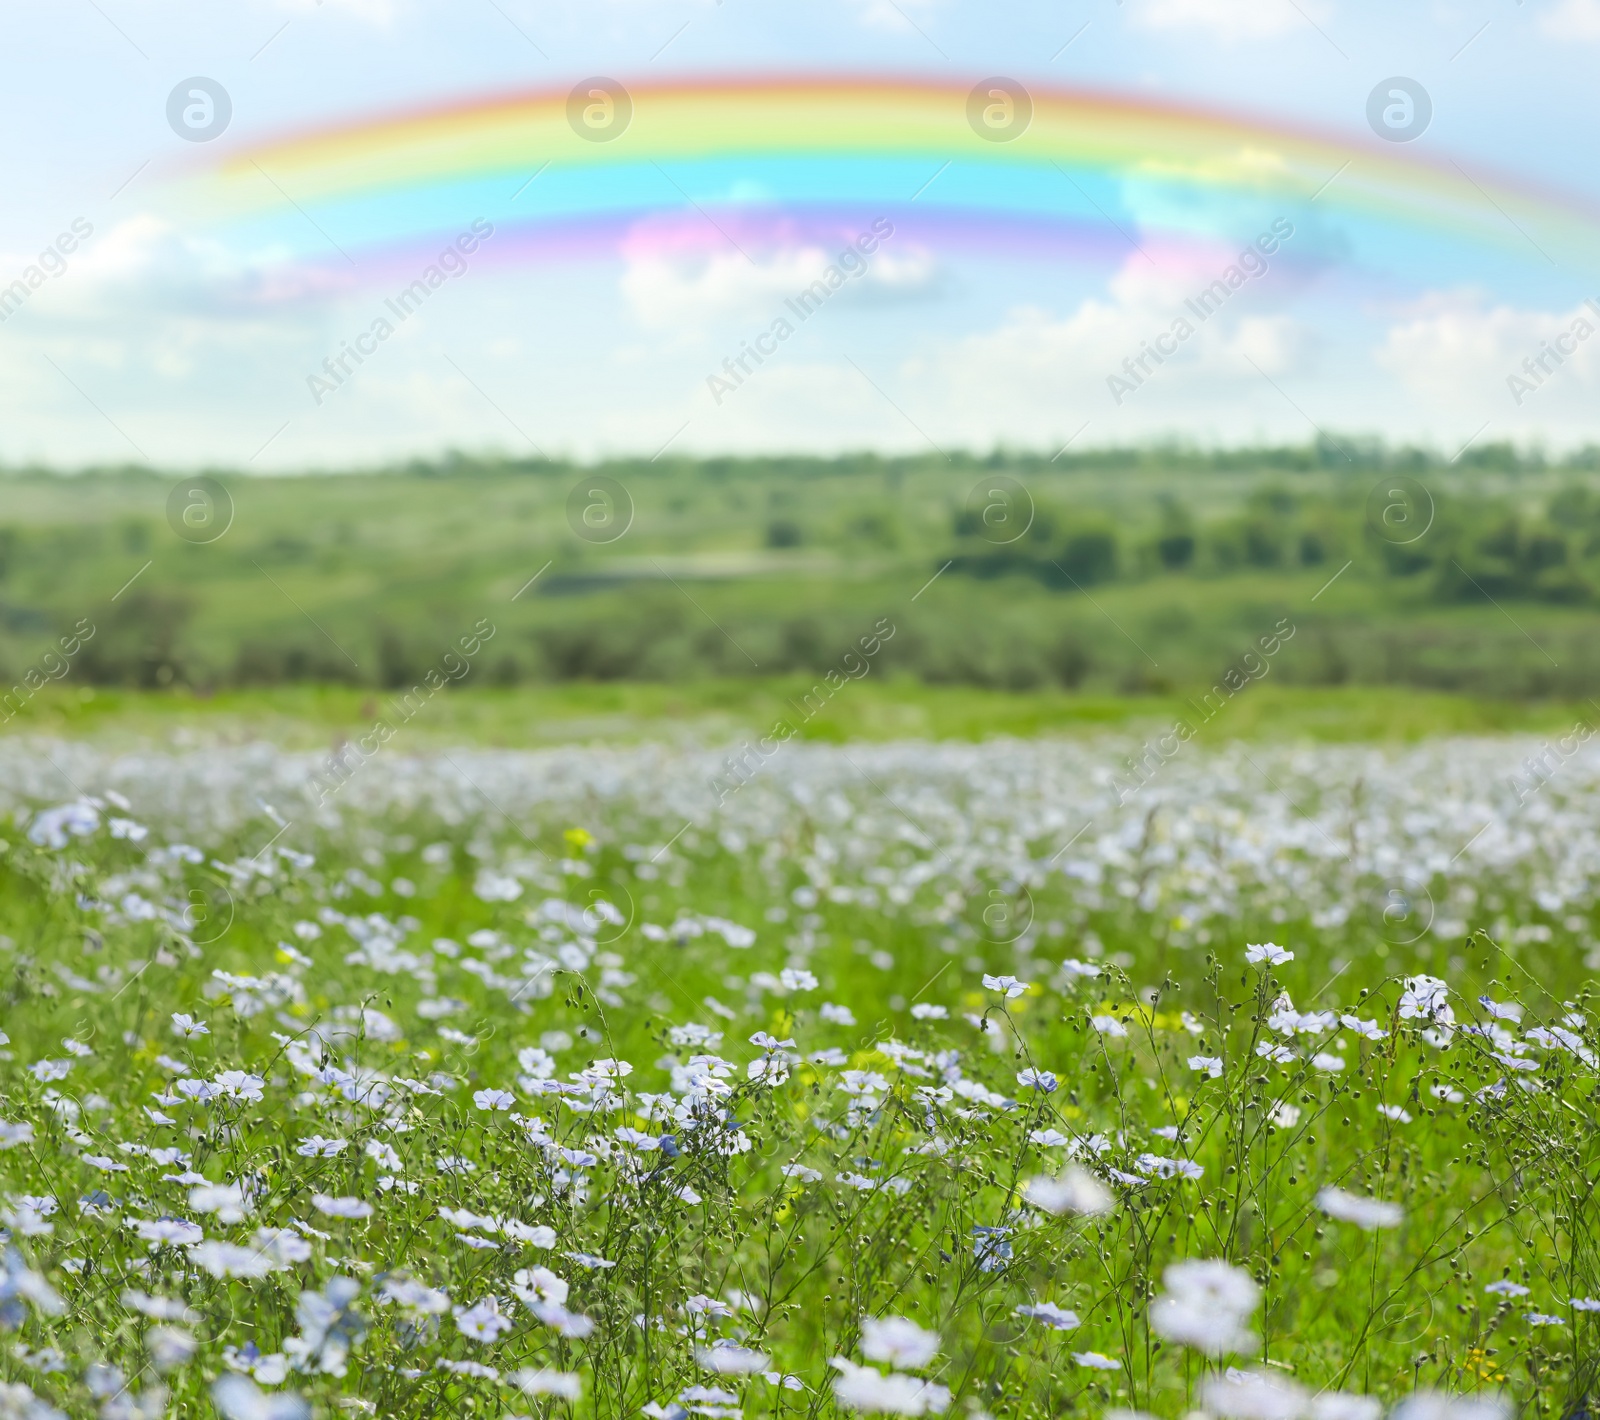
(1142, 573)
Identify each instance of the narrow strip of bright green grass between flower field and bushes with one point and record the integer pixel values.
(873, 709)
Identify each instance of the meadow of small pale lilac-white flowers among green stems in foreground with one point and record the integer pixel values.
(993, 1080)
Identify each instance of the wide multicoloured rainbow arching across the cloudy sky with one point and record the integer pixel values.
(748, 166)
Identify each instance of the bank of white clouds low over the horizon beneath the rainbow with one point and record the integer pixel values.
(191, 354)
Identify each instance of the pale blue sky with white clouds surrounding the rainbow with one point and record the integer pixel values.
(142, 351)
